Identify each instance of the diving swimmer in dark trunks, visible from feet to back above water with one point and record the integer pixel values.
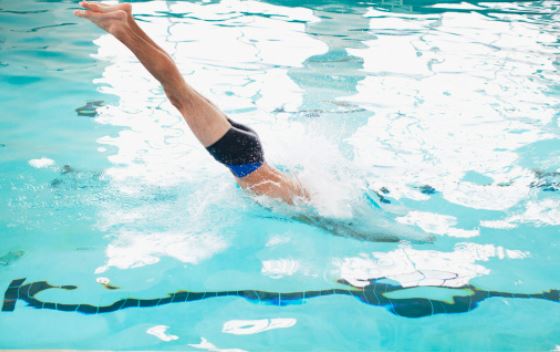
(233, 144)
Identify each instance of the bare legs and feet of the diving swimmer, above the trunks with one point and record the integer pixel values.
(206, 121)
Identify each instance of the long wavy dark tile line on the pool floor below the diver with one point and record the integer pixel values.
(372, 294)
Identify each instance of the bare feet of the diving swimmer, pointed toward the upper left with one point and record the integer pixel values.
(111, 18)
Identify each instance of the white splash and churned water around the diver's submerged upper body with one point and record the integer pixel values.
(340, 200)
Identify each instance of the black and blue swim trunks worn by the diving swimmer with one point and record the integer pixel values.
(239, 149)
